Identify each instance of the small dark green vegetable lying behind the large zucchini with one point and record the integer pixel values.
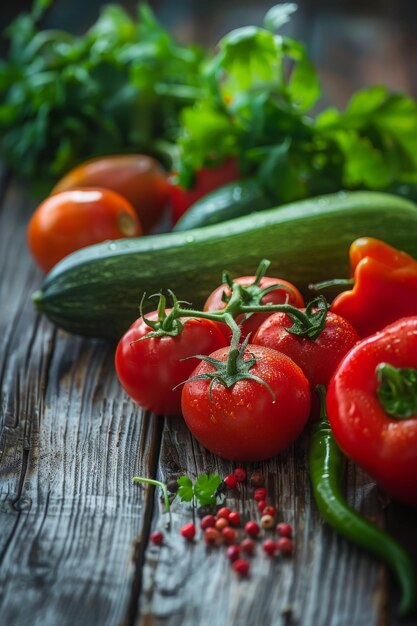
(230, 201)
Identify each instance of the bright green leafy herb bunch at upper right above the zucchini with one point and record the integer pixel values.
(260, 93)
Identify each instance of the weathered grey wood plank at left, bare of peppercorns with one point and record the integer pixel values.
(72, 522)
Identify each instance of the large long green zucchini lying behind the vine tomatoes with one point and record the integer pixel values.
(96, 291)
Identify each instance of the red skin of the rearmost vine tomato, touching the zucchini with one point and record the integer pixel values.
(290, 295)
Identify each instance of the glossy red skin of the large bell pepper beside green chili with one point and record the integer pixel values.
(386, 448)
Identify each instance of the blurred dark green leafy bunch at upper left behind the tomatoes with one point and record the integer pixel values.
(119, 87)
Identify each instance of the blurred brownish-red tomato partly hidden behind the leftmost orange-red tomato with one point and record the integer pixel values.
(139, 178)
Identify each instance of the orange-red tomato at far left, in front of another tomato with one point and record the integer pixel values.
(74, 219)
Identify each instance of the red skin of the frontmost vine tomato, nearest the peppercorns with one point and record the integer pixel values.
(244, 423)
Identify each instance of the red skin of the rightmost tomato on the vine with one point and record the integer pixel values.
(318, 358)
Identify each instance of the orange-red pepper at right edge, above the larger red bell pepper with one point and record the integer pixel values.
(384, 290)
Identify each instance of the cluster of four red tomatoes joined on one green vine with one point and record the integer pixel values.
(248, 420)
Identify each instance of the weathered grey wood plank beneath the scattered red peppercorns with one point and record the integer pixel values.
(327, 581)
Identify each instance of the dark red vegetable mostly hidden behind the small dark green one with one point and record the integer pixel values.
(207, 179)
